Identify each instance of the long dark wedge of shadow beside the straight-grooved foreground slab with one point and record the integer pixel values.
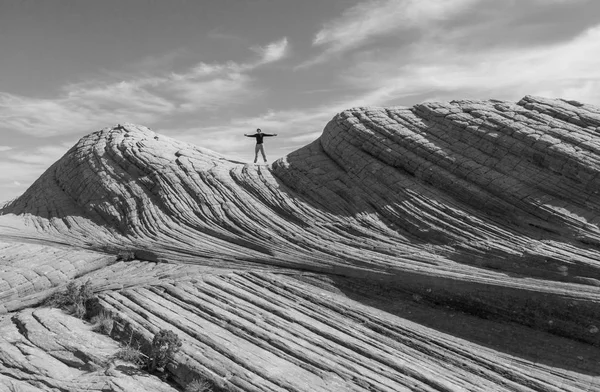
(474, 325)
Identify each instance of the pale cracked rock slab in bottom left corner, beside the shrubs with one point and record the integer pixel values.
(46, 350)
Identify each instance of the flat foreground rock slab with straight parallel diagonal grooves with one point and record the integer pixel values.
(271, 333)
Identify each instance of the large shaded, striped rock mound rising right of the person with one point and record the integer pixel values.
(530, 166)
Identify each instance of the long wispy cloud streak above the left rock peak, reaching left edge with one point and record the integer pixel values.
(81, 107)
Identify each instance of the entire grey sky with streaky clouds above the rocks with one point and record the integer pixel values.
(206, 72)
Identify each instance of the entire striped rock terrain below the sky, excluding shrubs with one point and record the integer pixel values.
(445, 247)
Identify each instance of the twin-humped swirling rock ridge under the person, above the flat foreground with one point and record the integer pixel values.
(473, 194)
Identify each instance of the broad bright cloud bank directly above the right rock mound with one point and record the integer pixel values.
(560, 70)
